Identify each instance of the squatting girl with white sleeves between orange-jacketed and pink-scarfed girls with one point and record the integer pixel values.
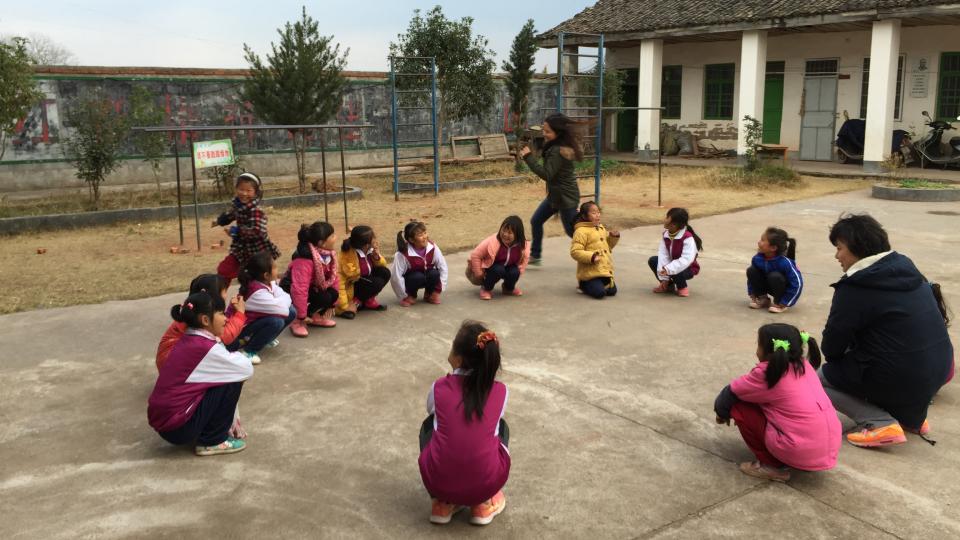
(267, 306)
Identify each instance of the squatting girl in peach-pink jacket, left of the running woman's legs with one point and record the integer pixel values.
(502, 256)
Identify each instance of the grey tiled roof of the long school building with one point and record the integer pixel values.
(615, 16)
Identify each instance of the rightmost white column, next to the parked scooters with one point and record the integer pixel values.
(884, 52)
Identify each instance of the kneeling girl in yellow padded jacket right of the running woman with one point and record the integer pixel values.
(592, 249)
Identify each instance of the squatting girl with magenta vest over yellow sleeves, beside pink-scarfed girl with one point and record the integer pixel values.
(363, 273)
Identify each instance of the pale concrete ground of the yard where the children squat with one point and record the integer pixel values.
(613, 433)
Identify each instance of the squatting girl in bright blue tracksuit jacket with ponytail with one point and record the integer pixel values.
(773, 273)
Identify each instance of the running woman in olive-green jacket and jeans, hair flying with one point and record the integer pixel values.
(563, 195)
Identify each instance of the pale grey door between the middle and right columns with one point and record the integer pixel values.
(818, 124)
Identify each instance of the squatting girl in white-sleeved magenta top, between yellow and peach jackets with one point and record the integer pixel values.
(417, 264)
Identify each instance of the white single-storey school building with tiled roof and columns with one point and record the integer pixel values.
(799, 66)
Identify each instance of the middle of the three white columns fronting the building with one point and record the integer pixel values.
(753, 69)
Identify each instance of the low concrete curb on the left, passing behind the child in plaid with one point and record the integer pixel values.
(51, 222)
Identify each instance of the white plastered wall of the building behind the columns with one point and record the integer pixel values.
(795, 50)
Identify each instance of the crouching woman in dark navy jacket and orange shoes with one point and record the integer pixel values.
(885, 342)
